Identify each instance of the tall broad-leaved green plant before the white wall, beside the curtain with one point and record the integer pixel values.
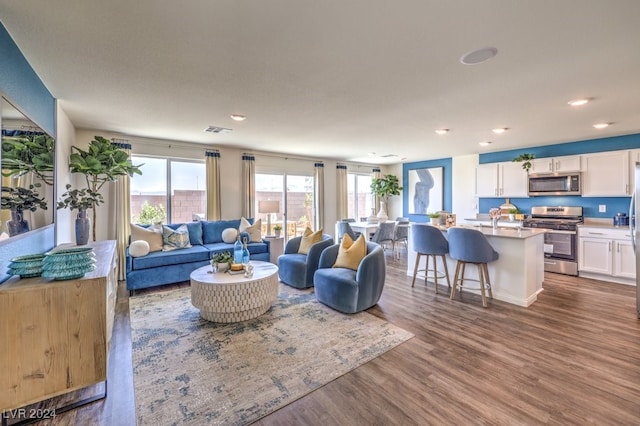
(102, 162)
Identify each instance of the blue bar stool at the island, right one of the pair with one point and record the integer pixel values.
(471, 246)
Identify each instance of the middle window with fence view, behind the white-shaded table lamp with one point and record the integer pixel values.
(299, 199)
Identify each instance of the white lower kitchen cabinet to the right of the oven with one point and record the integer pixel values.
(607, 253)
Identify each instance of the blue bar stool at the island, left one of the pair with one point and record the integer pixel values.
(428, 240)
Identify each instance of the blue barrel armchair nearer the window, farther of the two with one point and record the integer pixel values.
(295, 269)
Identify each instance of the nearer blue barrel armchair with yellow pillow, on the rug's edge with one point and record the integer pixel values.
(346, 290)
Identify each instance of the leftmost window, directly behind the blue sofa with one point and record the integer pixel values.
(169, 190)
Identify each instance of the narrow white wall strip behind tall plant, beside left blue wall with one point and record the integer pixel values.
(66, 136)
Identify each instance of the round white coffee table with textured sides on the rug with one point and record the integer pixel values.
(222, 297)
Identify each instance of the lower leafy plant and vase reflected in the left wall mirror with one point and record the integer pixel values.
(17, 200)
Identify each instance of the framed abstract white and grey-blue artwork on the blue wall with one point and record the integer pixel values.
(425, 190)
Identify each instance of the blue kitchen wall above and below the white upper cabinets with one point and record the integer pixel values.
(589, 204)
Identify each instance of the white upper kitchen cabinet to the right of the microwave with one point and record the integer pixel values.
(606, 174)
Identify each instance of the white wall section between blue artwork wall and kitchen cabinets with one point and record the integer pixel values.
(464, 203)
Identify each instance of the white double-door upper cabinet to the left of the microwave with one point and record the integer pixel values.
(506, 179)
